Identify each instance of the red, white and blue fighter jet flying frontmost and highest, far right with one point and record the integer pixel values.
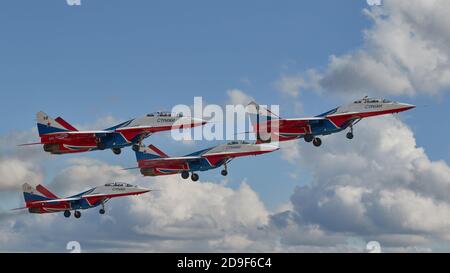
(333, 121)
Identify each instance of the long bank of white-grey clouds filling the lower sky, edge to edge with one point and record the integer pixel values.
(379, 186)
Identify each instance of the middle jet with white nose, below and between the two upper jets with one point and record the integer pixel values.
(153, 162)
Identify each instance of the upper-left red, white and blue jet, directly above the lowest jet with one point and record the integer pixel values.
(59, 137)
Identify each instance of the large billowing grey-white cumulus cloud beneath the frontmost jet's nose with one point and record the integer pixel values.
(378, 186)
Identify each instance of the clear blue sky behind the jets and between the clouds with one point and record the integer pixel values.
(126, 58)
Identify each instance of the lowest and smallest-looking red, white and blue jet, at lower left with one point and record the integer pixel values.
(40, 200)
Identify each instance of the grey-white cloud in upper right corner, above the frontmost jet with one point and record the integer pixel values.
(405, 52)
